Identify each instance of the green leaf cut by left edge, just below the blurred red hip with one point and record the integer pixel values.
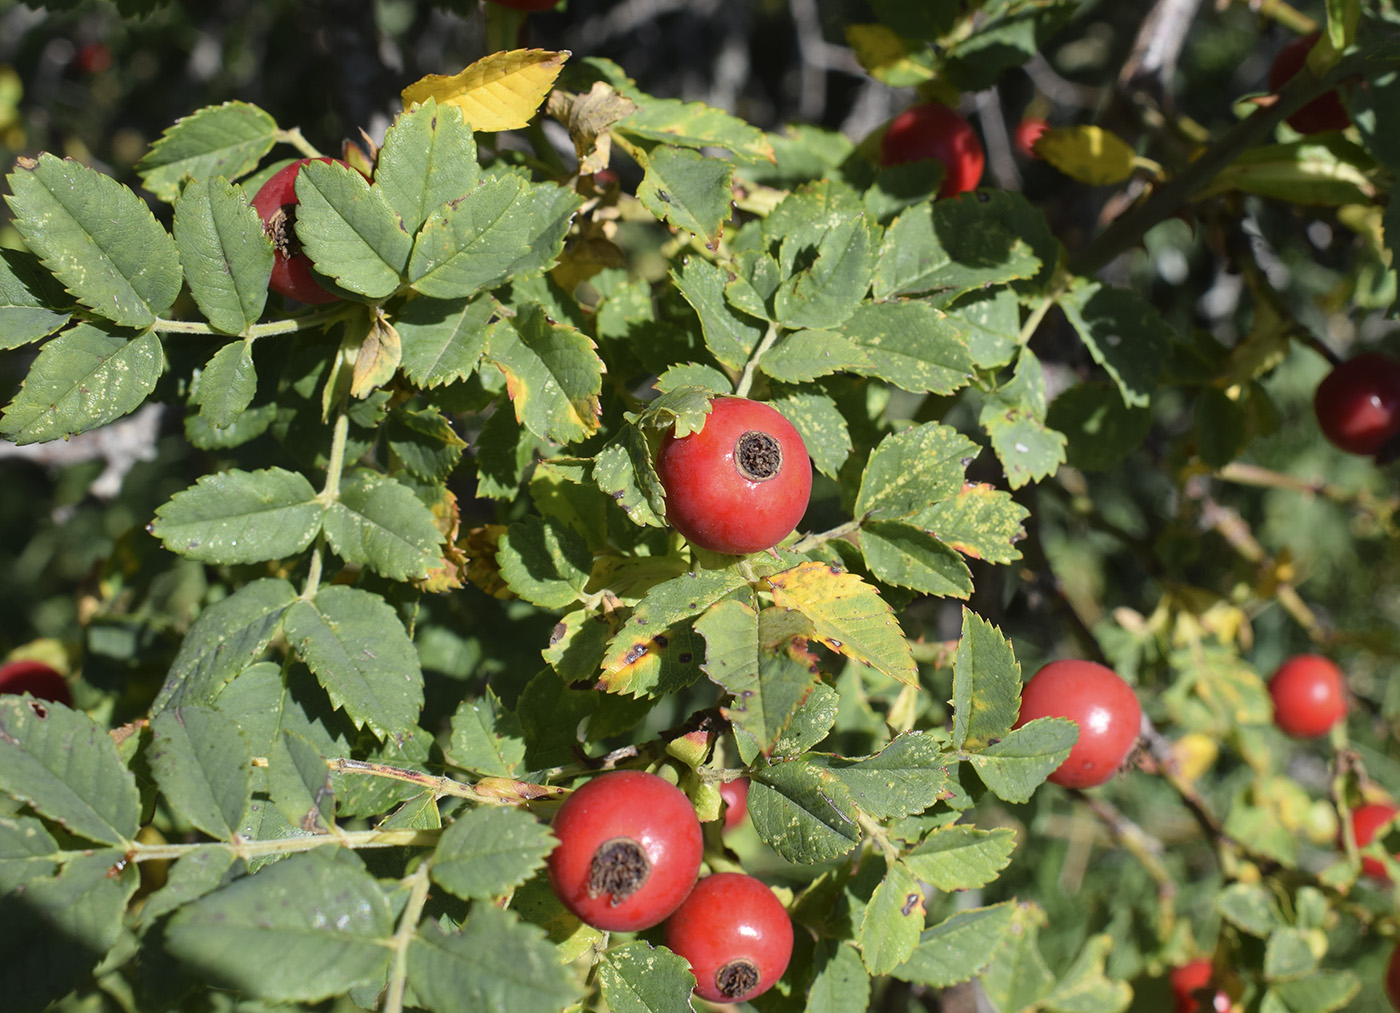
(66, 767)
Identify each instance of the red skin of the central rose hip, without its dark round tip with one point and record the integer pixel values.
(709, 497)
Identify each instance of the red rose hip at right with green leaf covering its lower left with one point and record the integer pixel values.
(1100, 703)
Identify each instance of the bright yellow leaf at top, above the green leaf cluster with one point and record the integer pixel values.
(500, 92)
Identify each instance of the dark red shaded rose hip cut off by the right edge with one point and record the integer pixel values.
(1359, 404)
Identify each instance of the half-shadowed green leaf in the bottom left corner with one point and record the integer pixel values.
(55, 931)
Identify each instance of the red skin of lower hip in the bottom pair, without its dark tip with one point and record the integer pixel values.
(731, 917)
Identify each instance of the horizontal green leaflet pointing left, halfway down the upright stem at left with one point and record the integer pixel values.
(241, 517)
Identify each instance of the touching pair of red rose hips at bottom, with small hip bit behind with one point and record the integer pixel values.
(629, 858)
